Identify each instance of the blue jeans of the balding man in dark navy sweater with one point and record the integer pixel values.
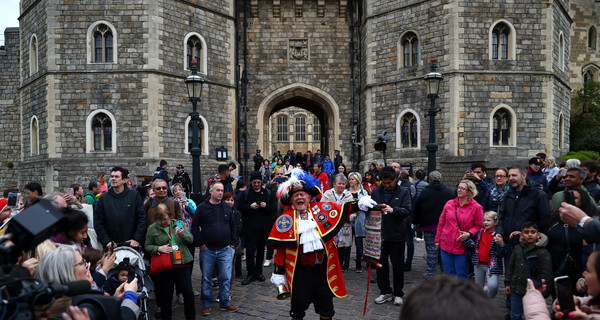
(223, 258)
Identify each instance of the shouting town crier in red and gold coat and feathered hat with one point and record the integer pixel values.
(303, 235)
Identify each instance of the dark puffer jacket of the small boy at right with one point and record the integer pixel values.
(516, 276)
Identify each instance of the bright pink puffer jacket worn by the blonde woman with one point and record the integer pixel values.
(470, 217)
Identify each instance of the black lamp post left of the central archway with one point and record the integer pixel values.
(194, 84)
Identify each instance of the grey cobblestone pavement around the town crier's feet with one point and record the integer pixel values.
(258, 299)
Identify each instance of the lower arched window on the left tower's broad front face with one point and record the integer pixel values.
(101, 132)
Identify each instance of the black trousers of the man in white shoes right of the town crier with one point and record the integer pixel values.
(393, 251)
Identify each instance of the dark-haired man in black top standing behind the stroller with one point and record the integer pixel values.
(119, 214)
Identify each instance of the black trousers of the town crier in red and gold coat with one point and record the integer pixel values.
(310, 285)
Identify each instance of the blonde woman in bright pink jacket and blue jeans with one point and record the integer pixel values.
(461, 218)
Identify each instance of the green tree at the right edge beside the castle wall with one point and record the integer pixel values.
(585, 118)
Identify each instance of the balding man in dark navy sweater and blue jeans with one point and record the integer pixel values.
(213, 227)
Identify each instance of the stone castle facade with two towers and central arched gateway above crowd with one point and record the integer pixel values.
(87, 85)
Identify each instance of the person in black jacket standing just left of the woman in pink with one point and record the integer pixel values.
(428, 208)
